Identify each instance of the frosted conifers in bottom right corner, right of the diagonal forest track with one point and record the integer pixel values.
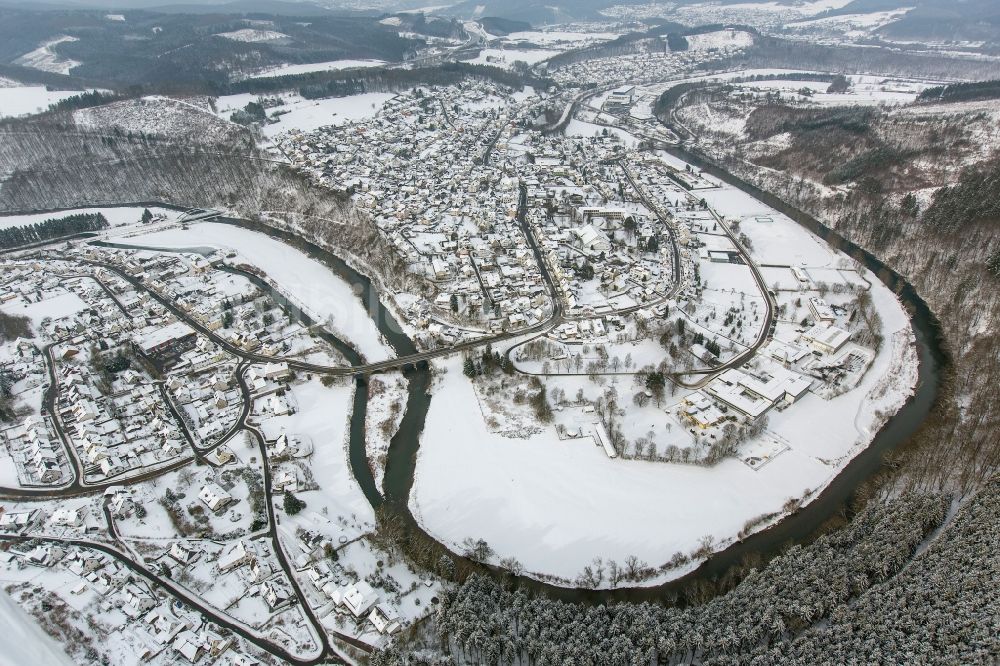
(937, 610)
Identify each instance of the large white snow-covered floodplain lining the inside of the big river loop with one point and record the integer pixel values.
(556, 504)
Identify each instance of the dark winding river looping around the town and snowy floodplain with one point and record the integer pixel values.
(798, 527)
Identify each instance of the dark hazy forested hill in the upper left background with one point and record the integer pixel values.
(178, 52)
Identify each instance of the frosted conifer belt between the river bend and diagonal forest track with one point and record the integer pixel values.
(485, 622)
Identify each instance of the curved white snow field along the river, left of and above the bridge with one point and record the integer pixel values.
(310, 284)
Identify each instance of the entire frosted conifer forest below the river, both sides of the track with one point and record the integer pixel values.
(834, 601)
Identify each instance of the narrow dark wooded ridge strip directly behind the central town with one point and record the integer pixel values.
(349, 82)
